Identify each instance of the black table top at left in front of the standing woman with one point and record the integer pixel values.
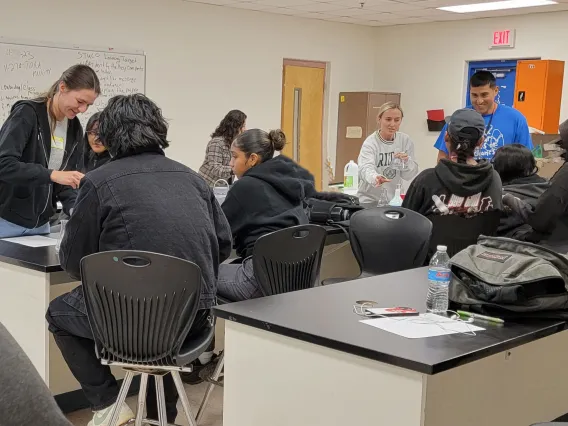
(43, 259)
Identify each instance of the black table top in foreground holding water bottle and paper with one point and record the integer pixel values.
(324, 316)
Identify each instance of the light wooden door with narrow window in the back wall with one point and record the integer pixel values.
(302, 114)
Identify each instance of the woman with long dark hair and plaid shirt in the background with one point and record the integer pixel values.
(218, 152)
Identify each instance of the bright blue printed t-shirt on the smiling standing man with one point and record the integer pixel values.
(508, 126)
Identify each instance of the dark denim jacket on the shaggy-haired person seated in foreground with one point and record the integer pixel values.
(147, 202)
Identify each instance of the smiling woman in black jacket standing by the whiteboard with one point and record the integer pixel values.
(40, 152)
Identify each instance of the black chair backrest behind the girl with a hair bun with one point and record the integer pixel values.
(289, 259)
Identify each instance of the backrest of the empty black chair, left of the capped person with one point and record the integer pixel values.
(389, 239)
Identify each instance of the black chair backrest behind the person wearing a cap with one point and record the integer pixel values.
(458, 232)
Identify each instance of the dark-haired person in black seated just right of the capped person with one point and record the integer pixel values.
(517, 168)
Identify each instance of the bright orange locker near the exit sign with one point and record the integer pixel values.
(538, 93)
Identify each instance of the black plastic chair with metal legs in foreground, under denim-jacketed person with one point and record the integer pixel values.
(141, 307)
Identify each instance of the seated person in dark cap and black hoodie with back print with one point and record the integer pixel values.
(461, 186)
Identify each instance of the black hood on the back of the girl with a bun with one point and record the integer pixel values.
(286, 177)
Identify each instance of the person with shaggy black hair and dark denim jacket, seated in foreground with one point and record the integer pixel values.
(141, 200)
